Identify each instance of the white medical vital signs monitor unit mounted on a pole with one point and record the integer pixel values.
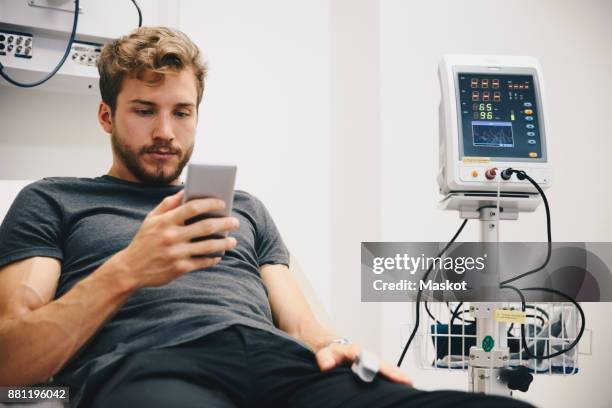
(492, 118)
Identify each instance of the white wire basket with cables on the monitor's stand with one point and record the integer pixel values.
(448, 332)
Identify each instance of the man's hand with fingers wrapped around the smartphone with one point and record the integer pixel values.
(164, 248)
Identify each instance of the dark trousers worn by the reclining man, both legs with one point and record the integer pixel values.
(246, 367)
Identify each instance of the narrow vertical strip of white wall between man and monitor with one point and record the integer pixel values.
(355, 160)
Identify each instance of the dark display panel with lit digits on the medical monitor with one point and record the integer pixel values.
(499, 117)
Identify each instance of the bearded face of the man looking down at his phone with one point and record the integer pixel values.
(153, 127)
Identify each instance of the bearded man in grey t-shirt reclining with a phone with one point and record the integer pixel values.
(102, 288)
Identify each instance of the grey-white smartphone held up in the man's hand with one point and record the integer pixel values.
(210, 181)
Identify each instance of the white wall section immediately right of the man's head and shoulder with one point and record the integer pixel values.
(266, 108)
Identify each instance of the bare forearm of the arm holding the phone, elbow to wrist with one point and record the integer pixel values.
(37, 344)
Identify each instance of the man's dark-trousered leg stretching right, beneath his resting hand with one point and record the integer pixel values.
(287, 374)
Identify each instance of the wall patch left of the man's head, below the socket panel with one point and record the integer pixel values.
(51, 134)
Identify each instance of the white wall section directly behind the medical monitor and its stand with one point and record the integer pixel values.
(573, 41)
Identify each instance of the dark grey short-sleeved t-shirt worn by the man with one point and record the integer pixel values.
(84, 221)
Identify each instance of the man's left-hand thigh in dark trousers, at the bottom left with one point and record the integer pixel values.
(210, 371)
